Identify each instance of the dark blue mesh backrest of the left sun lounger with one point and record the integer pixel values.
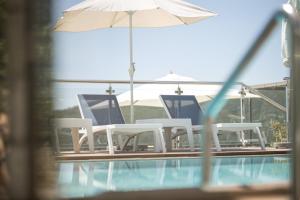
(102, 109)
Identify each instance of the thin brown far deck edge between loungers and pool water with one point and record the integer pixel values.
(125, 155)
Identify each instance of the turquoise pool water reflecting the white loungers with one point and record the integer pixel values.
(87, 178)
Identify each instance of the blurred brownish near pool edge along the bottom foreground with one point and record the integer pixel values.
(254, 192)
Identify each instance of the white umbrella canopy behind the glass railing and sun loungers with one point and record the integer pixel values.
(148, 95)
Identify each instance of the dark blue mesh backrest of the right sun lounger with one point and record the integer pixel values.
(182, 106)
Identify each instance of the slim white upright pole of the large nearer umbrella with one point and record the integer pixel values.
(131, 68)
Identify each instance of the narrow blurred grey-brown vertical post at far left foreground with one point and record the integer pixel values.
(21, 182)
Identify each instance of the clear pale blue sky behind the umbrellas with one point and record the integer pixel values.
(207, 51)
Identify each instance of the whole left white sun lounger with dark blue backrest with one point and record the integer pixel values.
(106, 116)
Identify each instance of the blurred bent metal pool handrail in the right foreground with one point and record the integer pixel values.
(293, 19)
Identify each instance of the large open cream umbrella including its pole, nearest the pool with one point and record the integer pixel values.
(94, 14)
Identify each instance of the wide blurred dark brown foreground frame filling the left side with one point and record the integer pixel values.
(28, 35)
